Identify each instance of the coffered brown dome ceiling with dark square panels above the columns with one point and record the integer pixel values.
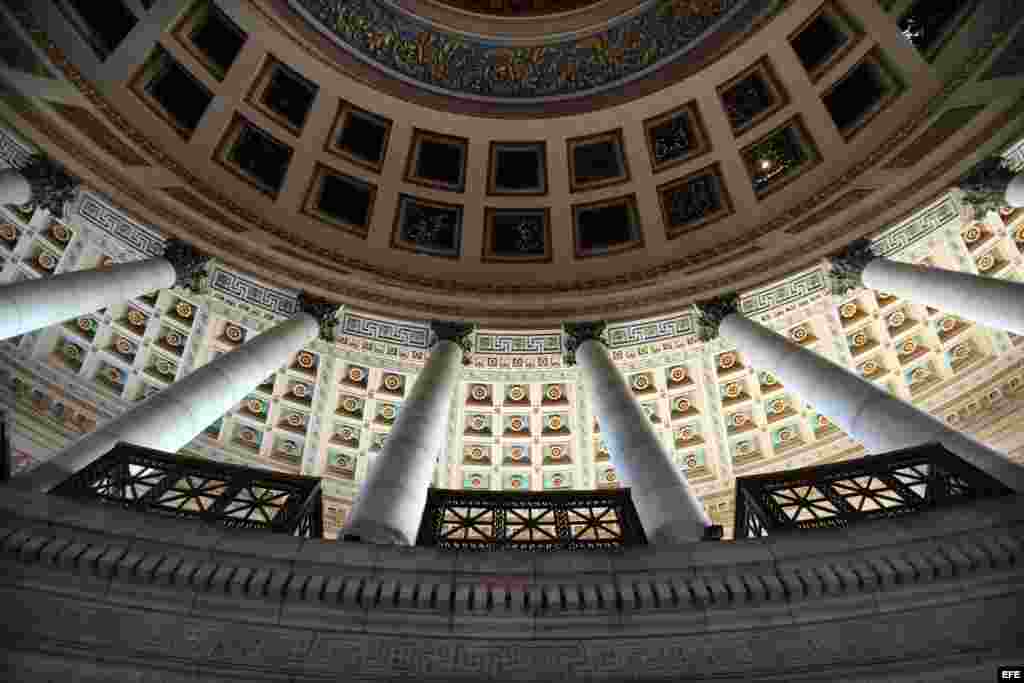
(430, 162)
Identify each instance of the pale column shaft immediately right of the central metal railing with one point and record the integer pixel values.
(667, 507)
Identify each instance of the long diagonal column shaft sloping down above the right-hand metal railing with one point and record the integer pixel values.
(864, 411)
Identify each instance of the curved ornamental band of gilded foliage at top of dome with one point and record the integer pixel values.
(665, 31)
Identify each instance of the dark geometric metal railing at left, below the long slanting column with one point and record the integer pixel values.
(231, 496)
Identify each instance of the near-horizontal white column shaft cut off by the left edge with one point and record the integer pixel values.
(38, 304)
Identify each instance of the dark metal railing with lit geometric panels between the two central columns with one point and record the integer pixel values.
(455, 520)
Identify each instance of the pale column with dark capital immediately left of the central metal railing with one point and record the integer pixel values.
(392, 500)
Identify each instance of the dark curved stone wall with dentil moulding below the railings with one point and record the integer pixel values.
(103, 594)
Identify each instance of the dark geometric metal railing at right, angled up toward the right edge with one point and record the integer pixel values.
(888, 485)
